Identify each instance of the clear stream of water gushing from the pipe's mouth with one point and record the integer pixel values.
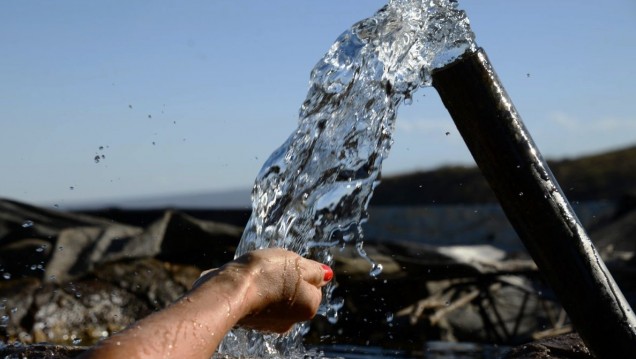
(312, 193)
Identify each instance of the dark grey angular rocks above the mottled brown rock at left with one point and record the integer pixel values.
(58, 247)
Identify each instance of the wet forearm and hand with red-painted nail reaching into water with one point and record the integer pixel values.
(269, 289)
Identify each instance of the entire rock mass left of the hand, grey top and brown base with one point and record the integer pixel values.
(70, 278)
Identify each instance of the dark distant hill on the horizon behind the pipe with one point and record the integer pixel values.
(602, 176)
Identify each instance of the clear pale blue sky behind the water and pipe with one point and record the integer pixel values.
(188, 96)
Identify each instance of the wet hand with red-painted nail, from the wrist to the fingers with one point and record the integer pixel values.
(283, 288)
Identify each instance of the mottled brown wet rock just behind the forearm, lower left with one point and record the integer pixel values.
(91, 308)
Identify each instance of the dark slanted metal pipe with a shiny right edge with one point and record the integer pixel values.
(535, 205)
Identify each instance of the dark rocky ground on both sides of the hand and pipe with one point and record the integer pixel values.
(69, 280)
